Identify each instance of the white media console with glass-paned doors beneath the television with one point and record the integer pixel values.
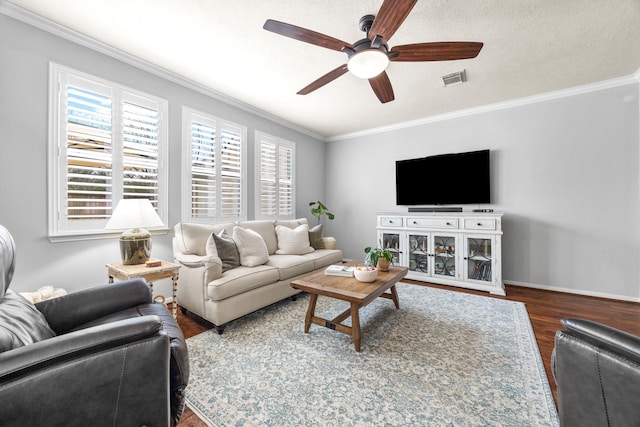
(451, 248)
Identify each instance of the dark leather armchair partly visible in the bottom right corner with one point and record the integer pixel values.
(597, 372)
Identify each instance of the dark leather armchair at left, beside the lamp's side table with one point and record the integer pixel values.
(106, 355)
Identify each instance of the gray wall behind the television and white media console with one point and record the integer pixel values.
(565, 172)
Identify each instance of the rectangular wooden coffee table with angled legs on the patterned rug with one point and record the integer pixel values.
(358, 294)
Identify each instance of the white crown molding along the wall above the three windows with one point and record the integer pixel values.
(74, 36)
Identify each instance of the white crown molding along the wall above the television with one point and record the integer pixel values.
(578, 90)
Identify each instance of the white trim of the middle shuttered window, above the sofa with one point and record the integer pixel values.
(188, 114)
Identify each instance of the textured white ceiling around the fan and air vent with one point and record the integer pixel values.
(530, 47)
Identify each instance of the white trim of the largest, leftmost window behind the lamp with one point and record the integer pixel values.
(56, 183)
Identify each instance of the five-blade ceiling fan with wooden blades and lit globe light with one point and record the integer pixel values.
(369, 57)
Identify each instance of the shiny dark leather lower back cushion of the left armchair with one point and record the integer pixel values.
(21, 323)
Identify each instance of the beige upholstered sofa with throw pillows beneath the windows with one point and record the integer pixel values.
(213, 287)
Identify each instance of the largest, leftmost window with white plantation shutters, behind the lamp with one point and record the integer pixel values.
(107, 142)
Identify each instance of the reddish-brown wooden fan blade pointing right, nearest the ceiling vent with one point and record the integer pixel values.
(436, 51)
